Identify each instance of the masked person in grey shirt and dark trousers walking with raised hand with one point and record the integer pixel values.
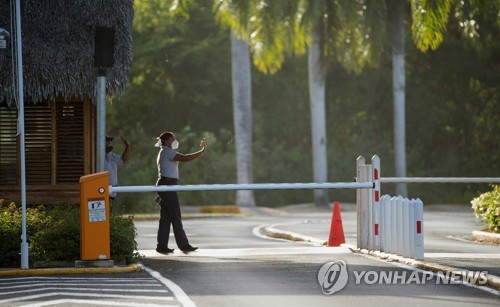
(168, 174)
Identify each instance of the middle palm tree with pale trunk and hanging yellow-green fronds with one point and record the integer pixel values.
(277, 28)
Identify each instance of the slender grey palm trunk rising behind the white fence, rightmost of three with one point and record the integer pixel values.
(398, 83)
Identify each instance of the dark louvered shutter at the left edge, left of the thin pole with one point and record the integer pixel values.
(8, 146)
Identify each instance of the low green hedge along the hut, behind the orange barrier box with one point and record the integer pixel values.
(53, 234)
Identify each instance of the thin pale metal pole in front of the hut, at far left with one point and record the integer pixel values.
(20, 86)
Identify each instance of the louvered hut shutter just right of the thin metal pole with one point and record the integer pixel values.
(38, 142)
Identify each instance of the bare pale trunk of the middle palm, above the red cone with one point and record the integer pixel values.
(317, 76)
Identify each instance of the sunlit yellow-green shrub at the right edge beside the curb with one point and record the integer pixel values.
(487, 208)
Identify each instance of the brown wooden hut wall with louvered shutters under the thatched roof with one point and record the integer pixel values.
(59, 141)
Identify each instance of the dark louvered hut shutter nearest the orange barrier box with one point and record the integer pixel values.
(70, 142)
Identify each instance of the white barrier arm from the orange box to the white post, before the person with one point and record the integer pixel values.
(250, 186)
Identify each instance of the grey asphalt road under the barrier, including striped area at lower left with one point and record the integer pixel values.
(237, 265)
